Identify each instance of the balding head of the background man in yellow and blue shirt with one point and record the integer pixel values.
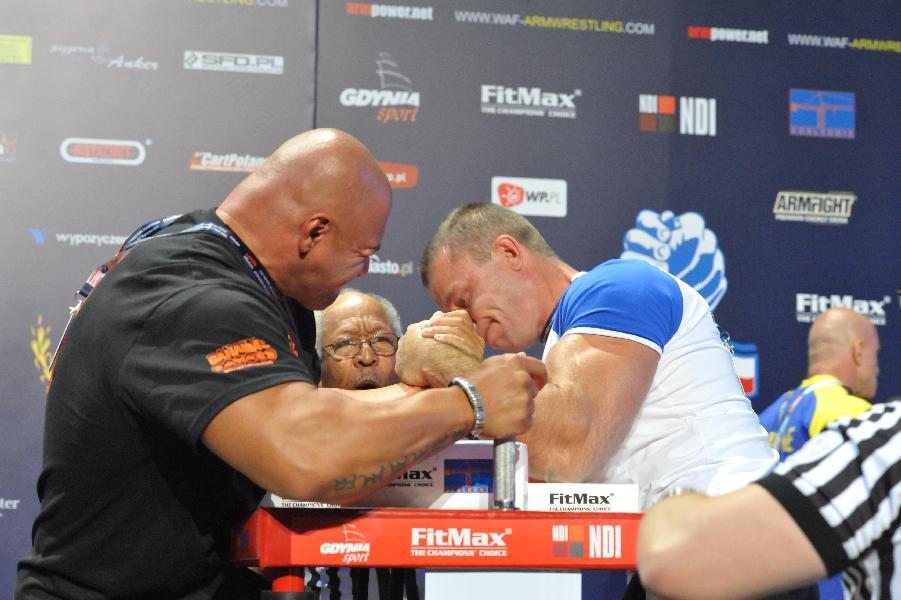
(845, 344)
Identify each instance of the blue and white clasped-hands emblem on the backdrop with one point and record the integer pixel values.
(681, 245)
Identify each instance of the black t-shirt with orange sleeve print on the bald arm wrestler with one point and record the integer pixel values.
(132, 503)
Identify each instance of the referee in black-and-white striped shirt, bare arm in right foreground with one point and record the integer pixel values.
(832, 507)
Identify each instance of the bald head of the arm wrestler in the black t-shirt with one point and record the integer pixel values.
(313, 213)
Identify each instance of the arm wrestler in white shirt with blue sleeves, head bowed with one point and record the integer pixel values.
(641, 388)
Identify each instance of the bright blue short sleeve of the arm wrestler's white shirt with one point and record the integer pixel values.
(625, 296)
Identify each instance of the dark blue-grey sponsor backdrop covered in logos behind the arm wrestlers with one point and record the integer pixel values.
(751, 150)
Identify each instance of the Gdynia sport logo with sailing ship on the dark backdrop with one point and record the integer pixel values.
(396, 99)
